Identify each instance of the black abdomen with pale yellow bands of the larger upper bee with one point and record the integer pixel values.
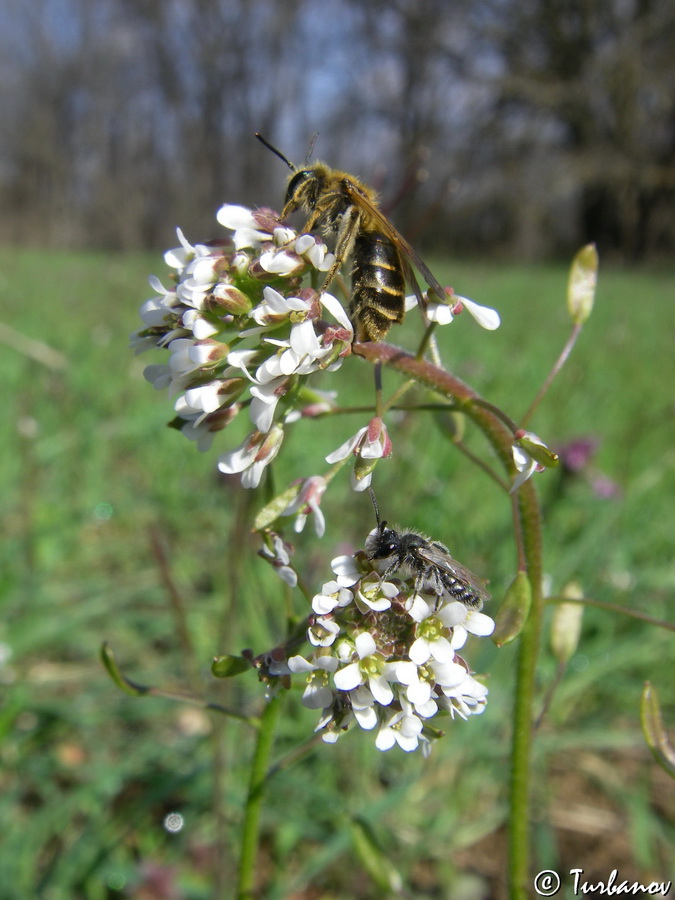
(378, 286)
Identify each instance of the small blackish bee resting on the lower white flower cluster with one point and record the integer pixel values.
(427, 562)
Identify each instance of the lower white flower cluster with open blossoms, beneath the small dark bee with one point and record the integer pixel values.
(386, 657)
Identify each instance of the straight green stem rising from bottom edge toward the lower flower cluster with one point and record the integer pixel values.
(251, 824)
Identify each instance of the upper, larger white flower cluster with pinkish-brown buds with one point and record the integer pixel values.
(241, 331)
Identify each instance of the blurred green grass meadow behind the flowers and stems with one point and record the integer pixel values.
(90, 477)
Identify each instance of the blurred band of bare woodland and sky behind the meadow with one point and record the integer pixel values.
(509, 125)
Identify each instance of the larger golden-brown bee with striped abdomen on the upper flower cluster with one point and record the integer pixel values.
(344, 207)
